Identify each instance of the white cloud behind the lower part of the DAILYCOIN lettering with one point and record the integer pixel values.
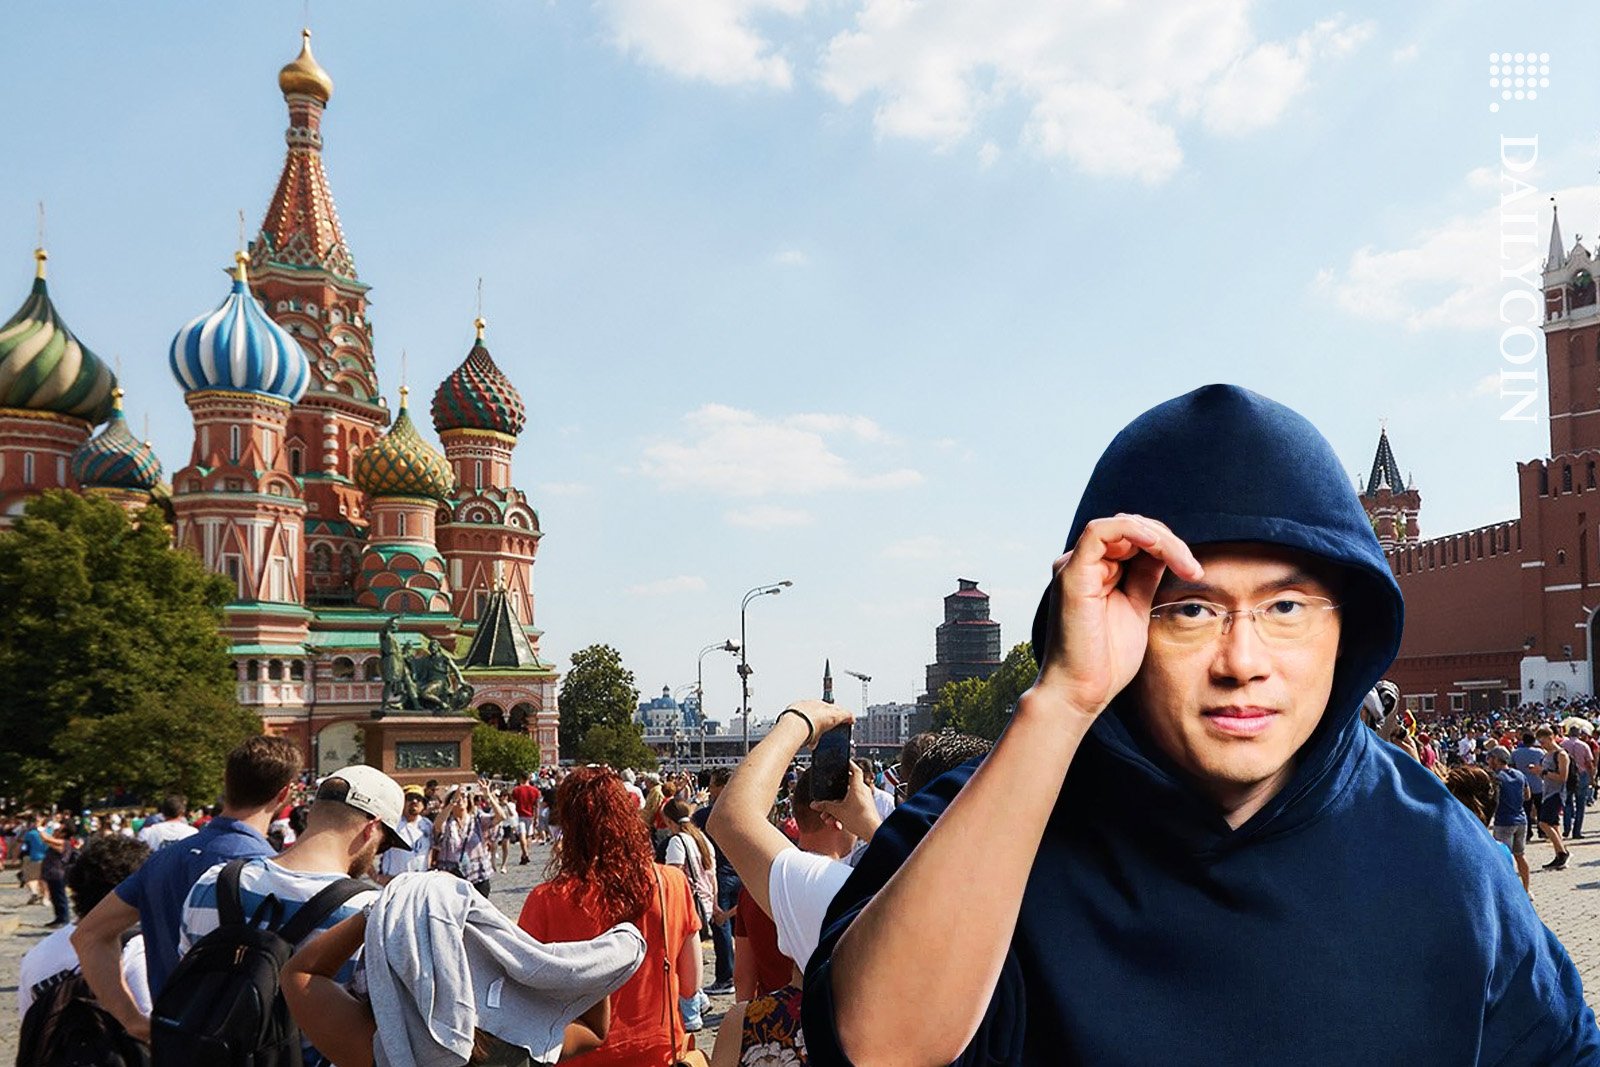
(1447, 276)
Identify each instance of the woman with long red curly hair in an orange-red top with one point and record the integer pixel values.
(604, 873)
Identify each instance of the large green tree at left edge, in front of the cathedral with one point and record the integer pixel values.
(102, 618)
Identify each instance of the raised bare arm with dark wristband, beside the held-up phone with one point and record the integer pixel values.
(738, 821)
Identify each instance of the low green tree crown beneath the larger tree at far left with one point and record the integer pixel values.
(174, 745)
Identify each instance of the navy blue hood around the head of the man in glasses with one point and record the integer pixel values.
(1225, 465)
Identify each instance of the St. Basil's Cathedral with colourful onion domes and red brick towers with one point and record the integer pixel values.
(295, 490)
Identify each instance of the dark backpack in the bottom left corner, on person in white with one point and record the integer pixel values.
(66, 1028)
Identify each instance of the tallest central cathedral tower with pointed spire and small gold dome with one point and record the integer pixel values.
(303, 273)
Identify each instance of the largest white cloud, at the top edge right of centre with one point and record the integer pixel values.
(1105, 86)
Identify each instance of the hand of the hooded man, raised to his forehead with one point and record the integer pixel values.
(1102, 601)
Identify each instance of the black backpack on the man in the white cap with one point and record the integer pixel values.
(222, 1005)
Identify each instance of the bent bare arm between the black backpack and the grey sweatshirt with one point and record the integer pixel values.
(338, 1025)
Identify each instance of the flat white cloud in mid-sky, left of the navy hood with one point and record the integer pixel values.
(740, 454)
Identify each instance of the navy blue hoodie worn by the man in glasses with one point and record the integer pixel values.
(1361, 917)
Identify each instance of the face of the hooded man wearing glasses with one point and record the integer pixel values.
(1234, 711)
